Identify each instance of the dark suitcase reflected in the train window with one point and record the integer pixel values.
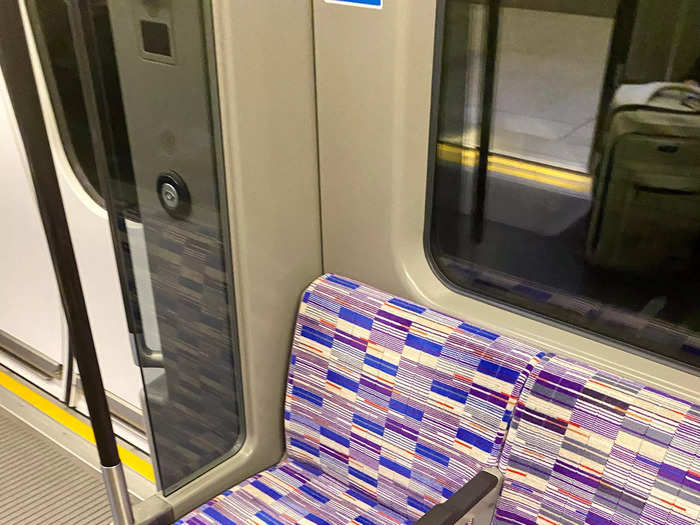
(646, 207)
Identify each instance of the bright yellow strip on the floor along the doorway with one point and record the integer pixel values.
(65, 418)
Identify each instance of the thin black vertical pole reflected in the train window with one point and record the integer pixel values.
(488, 90)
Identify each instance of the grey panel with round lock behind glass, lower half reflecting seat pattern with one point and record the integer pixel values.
(168, 86)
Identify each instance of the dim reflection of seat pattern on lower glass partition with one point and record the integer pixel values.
(199, 422)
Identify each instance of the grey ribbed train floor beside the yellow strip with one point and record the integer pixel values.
(49, 474)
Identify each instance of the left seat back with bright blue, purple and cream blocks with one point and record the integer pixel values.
(401, 403)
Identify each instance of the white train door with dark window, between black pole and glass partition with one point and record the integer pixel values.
(51, 29)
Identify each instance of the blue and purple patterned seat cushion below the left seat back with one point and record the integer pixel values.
(292, 492)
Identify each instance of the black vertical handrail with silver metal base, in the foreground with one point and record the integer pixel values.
(17, 69)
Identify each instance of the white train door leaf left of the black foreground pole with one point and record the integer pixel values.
(28, 283)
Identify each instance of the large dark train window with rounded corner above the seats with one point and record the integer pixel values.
(566, 173)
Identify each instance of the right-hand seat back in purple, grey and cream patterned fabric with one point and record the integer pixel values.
(586, 446)
